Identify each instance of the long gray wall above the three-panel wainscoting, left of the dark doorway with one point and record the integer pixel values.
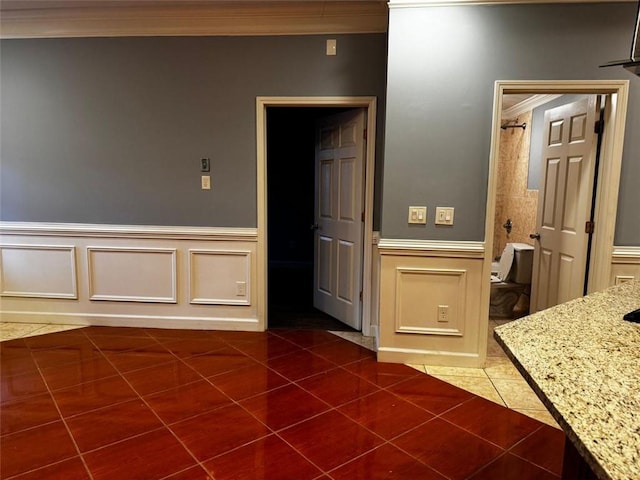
(111, 130)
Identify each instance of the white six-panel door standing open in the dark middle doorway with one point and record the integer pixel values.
(340, 147)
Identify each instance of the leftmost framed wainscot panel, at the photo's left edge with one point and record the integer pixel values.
(38, 271)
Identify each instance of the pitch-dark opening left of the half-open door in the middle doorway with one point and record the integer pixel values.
(290, 215)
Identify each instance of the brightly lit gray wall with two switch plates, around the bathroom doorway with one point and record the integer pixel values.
(443, 64)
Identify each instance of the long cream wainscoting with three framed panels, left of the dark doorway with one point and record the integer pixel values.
(170, 277)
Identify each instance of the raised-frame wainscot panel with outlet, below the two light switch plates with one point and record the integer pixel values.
(419, 294)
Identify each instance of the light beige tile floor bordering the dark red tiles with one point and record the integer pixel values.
(499, 381)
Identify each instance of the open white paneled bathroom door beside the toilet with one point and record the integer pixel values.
(564, 203)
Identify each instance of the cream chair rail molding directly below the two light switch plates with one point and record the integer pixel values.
(450, 249)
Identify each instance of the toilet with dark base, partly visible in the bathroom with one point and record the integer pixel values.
(510, 279)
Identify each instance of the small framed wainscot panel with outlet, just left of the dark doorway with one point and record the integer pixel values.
(219, 277)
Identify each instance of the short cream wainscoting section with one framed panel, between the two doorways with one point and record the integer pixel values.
(417, 279)
